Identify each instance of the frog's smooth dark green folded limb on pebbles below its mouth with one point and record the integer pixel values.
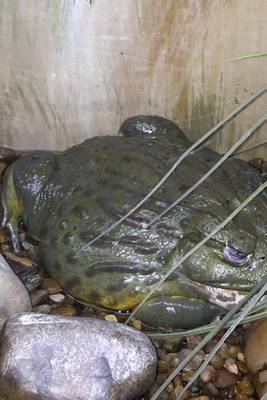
(177, 312)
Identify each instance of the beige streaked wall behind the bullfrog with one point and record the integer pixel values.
(70, 69)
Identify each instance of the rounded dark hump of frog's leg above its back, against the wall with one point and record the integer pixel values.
(150, 126)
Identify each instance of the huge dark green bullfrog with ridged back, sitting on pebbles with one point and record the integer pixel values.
(66, 199)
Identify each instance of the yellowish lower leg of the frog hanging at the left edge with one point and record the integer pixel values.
(12, 208)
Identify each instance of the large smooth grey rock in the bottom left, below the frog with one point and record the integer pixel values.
(74, 358)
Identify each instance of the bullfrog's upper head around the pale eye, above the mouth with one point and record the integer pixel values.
(236, 257)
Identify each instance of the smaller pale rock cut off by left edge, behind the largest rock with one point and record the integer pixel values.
(14, 298)
